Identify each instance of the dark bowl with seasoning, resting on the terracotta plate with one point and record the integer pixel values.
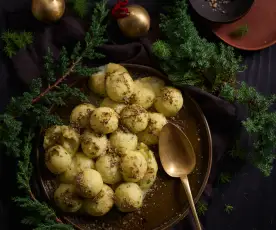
(225, 10)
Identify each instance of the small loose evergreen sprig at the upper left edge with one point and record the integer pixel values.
(15, 41)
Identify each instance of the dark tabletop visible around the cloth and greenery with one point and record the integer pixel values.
(251, 194)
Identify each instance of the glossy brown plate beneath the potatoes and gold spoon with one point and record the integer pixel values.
(166, 203)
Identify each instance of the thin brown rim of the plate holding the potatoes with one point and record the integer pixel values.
(207, 129)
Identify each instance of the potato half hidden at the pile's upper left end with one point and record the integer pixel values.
(96, 82)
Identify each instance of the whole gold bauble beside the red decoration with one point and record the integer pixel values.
(137, 23)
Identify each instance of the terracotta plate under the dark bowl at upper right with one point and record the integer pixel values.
(260, 21)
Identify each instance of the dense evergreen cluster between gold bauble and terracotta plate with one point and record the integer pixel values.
(189, 59)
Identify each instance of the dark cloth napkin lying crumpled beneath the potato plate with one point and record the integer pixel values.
(27, 64)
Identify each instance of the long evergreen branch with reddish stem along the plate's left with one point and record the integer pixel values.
(26, 113)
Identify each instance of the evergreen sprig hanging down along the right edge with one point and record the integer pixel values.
(260, 124)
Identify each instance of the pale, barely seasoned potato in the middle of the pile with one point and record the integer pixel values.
(122, 141)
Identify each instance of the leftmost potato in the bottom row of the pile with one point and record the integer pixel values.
(66, 198)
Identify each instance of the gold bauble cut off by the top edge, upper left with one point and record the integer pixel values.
(48, 10)
